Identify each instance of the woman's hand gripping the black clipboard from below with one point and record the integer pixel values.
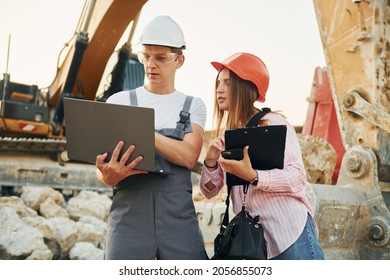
(241, 168)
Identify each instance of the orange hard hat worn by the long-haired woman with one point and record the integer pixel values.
(248, 67)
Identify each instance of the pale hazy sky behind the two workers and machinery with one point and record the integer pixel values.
(283, 33)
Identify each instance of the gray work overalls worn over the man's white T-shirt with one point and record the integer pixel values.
(152, 215)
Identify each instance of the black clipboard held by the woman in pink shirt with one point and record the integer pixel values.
(266, 147)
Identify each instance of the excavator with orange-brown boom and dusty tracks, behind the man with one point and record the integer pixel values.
(32, 128)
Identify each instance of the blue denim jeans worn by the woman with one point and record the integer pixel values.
(307, 247)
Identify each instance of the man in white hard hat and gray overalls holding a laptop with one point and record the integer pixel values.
(153, 215)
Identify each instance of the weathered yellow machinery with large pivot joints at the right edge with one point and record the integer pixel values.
(353, 214)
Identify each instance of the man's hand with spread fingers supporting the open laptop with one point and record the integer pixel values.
(114, 171)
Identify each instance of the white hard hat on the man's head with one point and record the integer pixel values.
(163, 31)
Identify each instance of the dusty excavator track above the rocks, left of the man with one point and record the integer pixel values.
(36, 162)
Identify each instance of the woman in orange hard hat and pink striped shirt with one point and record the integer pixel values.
(276, 195)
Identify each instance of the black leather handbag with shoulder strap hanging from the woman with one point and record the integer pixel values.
(242, 237)
